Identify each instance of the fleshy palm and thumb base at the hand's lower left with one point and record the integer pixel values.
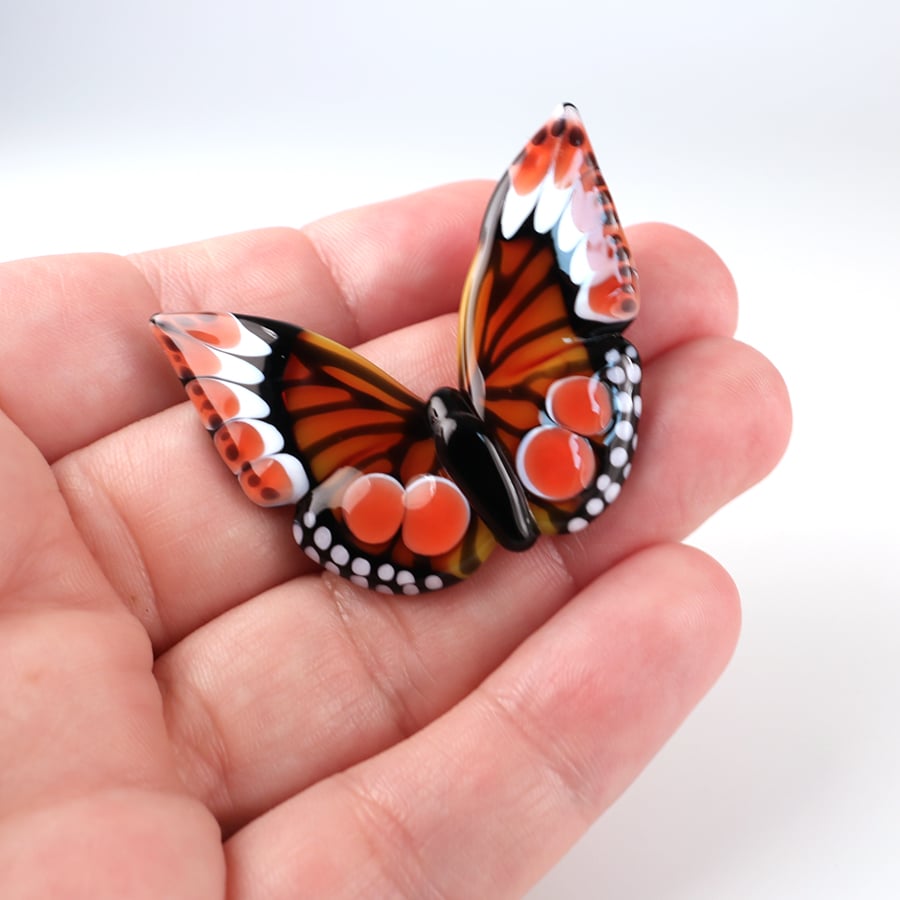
(85, 761)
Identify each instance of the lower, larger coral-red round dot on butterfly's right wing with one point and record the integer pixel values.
(555, 463)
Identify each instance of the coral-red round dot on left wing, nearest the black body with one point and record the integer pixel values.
(437, 516)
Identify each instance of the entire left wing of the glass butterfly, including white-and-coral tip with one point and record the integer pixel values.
(299, 419)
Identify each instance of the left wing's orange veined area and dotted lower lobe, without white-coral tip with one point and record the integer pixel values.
(381, 511)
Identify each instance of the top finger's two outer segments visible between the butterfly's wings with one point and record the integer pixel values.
(351, 276)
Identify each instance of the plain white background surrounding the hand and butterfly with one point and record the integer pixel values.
(769, 128)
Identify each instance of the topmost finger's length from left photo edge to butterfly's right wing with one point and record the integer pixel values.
(84, 318)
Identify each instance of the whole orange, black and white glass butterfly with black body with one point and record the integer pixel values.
(405, 495)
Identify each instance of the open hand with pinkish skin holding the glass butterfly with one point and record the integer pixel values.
(193, 710)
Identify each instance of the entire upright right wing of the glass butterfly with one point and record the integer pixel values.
(542, 355)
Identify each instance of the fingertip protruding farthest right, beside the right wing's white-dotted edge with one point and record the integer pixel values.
(718, 420)
